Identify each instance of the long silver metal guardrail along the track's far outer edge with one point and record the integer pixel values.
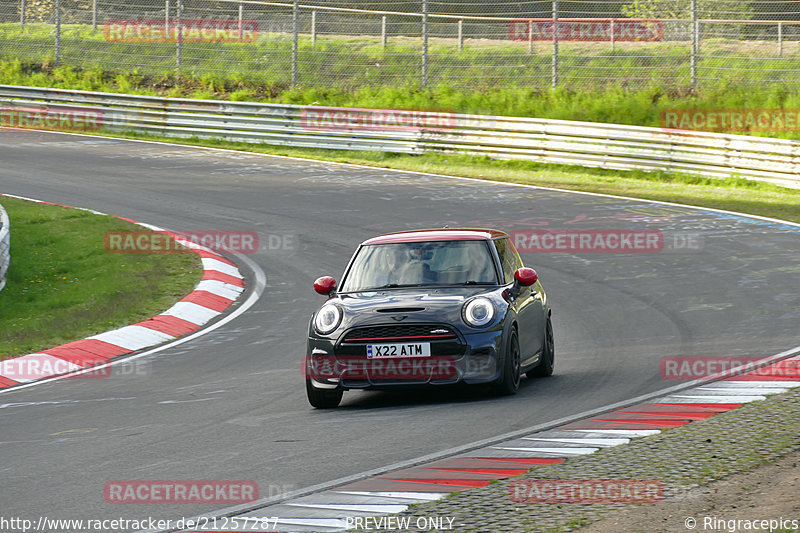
(587, 144)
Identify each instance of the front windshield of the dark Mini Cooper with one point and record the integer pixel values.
(421, 264)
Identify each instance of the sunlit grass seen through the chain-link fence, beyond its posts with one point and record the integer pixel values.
(356, 61)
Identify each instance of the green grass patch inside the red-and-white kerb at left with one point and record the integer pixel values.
(62, 285)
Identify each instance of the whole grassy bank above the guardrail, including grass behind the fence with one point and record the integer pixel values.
(631, 84)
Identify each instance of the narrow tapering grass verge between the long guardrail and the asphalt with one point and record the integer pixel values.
(730, 194)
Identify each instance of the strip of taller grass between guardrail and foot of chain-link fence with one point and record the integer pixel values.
(641, 105)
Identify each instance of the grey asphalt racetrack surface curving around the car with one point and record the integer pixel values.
(231, 404)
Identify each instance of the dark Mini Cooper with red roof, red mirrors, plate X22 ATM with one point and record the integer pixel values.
(429, 308)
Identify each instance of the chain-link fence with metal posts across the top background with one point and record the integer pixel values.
(475, 44)
